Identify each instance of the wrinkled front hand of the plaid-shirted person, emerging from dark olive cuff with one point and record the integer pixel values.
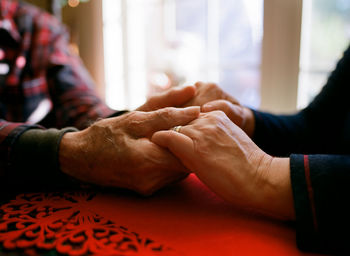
(117, 152)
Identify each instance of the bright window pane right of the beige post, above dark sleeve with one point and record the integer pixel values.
(325, 35)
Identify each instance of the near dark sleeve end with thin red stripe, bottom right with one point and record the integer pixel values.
(321, 193)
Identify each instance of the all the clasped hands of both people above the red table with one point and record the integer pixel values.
(138, 150)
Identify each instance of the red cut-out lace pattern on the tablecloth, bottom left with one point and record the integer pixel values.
(65, 222)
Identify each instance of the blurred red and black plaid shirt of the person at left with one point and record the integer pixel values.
(37, 71)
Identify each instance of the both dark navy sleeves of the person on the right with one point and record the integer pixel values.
(317, 141)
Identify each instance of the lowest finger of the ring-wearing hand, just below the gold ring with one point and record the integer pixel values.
(179, 144)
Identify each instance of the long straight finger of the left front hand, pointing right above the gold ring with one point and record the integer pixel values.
(163, 119)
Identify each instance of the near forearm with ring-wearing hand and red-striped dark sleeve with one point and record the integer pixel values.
(313, 190)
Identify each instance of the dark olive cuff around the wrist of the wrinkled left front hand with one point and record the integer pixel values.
(34, 159)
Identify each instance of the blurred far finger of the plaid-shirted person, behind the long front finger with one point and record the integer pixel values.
(171, 98)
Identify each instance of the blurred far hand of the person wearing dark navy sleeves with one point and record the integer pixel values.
(211, 97)
